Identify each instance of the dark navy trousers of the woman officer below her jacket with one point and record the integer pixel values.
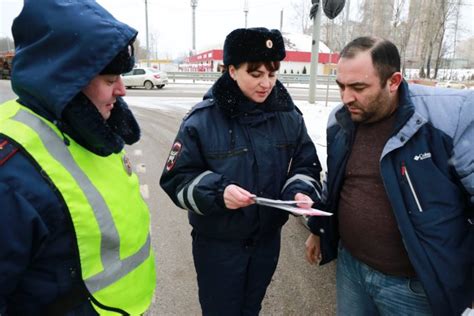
(234, 275)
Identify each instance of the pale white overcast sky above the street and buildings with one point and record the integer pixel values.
(170, 21)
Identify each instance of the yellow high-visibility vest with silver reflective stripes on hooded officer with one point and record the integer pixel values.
(110, 218)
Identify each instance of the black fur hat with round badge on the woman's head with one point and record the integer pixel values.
(253, 45)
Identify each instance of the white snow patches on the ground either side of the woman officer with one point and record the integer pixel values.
(315, 115)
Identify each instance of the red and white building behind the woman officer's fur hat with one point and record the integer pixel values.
(297, 61)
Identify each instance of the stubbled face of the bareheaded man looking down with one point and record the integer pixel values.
(363, 96)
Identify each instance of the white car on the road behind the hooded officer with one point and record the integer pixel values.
(145, 77)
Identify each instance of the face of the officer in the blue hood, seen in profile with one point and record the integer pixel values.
(103, 91)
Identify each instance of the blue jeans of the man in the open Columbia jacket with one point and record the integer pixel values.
(363, 291)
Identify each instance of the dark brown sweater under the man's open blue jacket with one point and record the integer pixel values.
(367, 225)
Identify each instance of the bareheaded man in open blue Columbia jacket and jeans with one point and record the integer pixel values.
(400, 182)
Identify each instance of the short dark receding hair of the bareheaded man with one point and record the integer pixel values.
(385, 55)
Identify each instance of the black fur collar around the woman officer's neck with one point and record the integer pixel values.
(232, 101)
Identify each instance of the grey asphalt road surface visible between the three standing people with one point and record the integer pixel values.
(296, 289)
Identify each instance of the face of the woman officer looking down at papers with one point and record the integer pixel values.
(255, 85)
